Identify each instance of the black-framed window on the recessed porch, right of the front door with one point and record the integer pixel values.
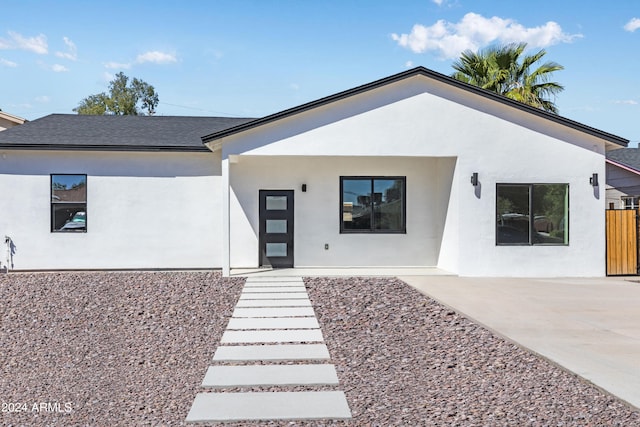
(372, 204)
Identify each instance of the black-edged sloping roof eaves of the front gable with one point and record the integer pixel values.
(404, 75)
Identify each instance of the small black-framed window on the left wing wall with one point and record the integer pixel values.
(69, 203)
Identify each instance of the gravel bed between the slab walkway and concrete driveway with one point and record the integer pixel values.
(405, 360)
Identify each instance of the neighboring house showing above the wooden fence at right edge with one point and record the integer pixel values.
(623, 178)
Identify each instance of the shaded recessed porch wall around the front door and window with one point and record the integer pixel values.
(318, 215)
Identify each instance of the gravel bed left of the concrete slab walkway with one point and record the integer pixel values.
(123, 349)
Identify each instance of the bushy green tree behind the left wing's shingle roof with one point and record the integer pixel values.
(137, 98)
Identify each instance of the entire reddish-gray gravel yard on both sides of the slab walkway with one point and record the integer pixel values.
(125, 349)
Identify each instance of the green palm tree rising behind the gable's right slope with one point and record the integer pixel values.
(500, 69)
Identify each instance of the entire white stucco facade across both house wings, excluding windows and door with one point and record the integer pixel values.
(176, 209)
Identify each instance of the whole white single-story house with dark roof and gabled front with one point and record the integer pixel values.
(413, 170)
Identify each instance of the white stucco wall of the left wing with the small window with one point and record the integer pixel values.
(144, 210)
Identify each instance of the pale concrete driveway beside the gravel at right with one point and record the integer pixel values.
(589, 326)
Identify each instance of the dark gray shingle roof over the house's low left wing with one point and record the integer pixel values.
(131, 133)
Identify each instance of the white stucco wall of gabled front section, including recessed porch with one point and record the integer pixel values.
(424, 119)
